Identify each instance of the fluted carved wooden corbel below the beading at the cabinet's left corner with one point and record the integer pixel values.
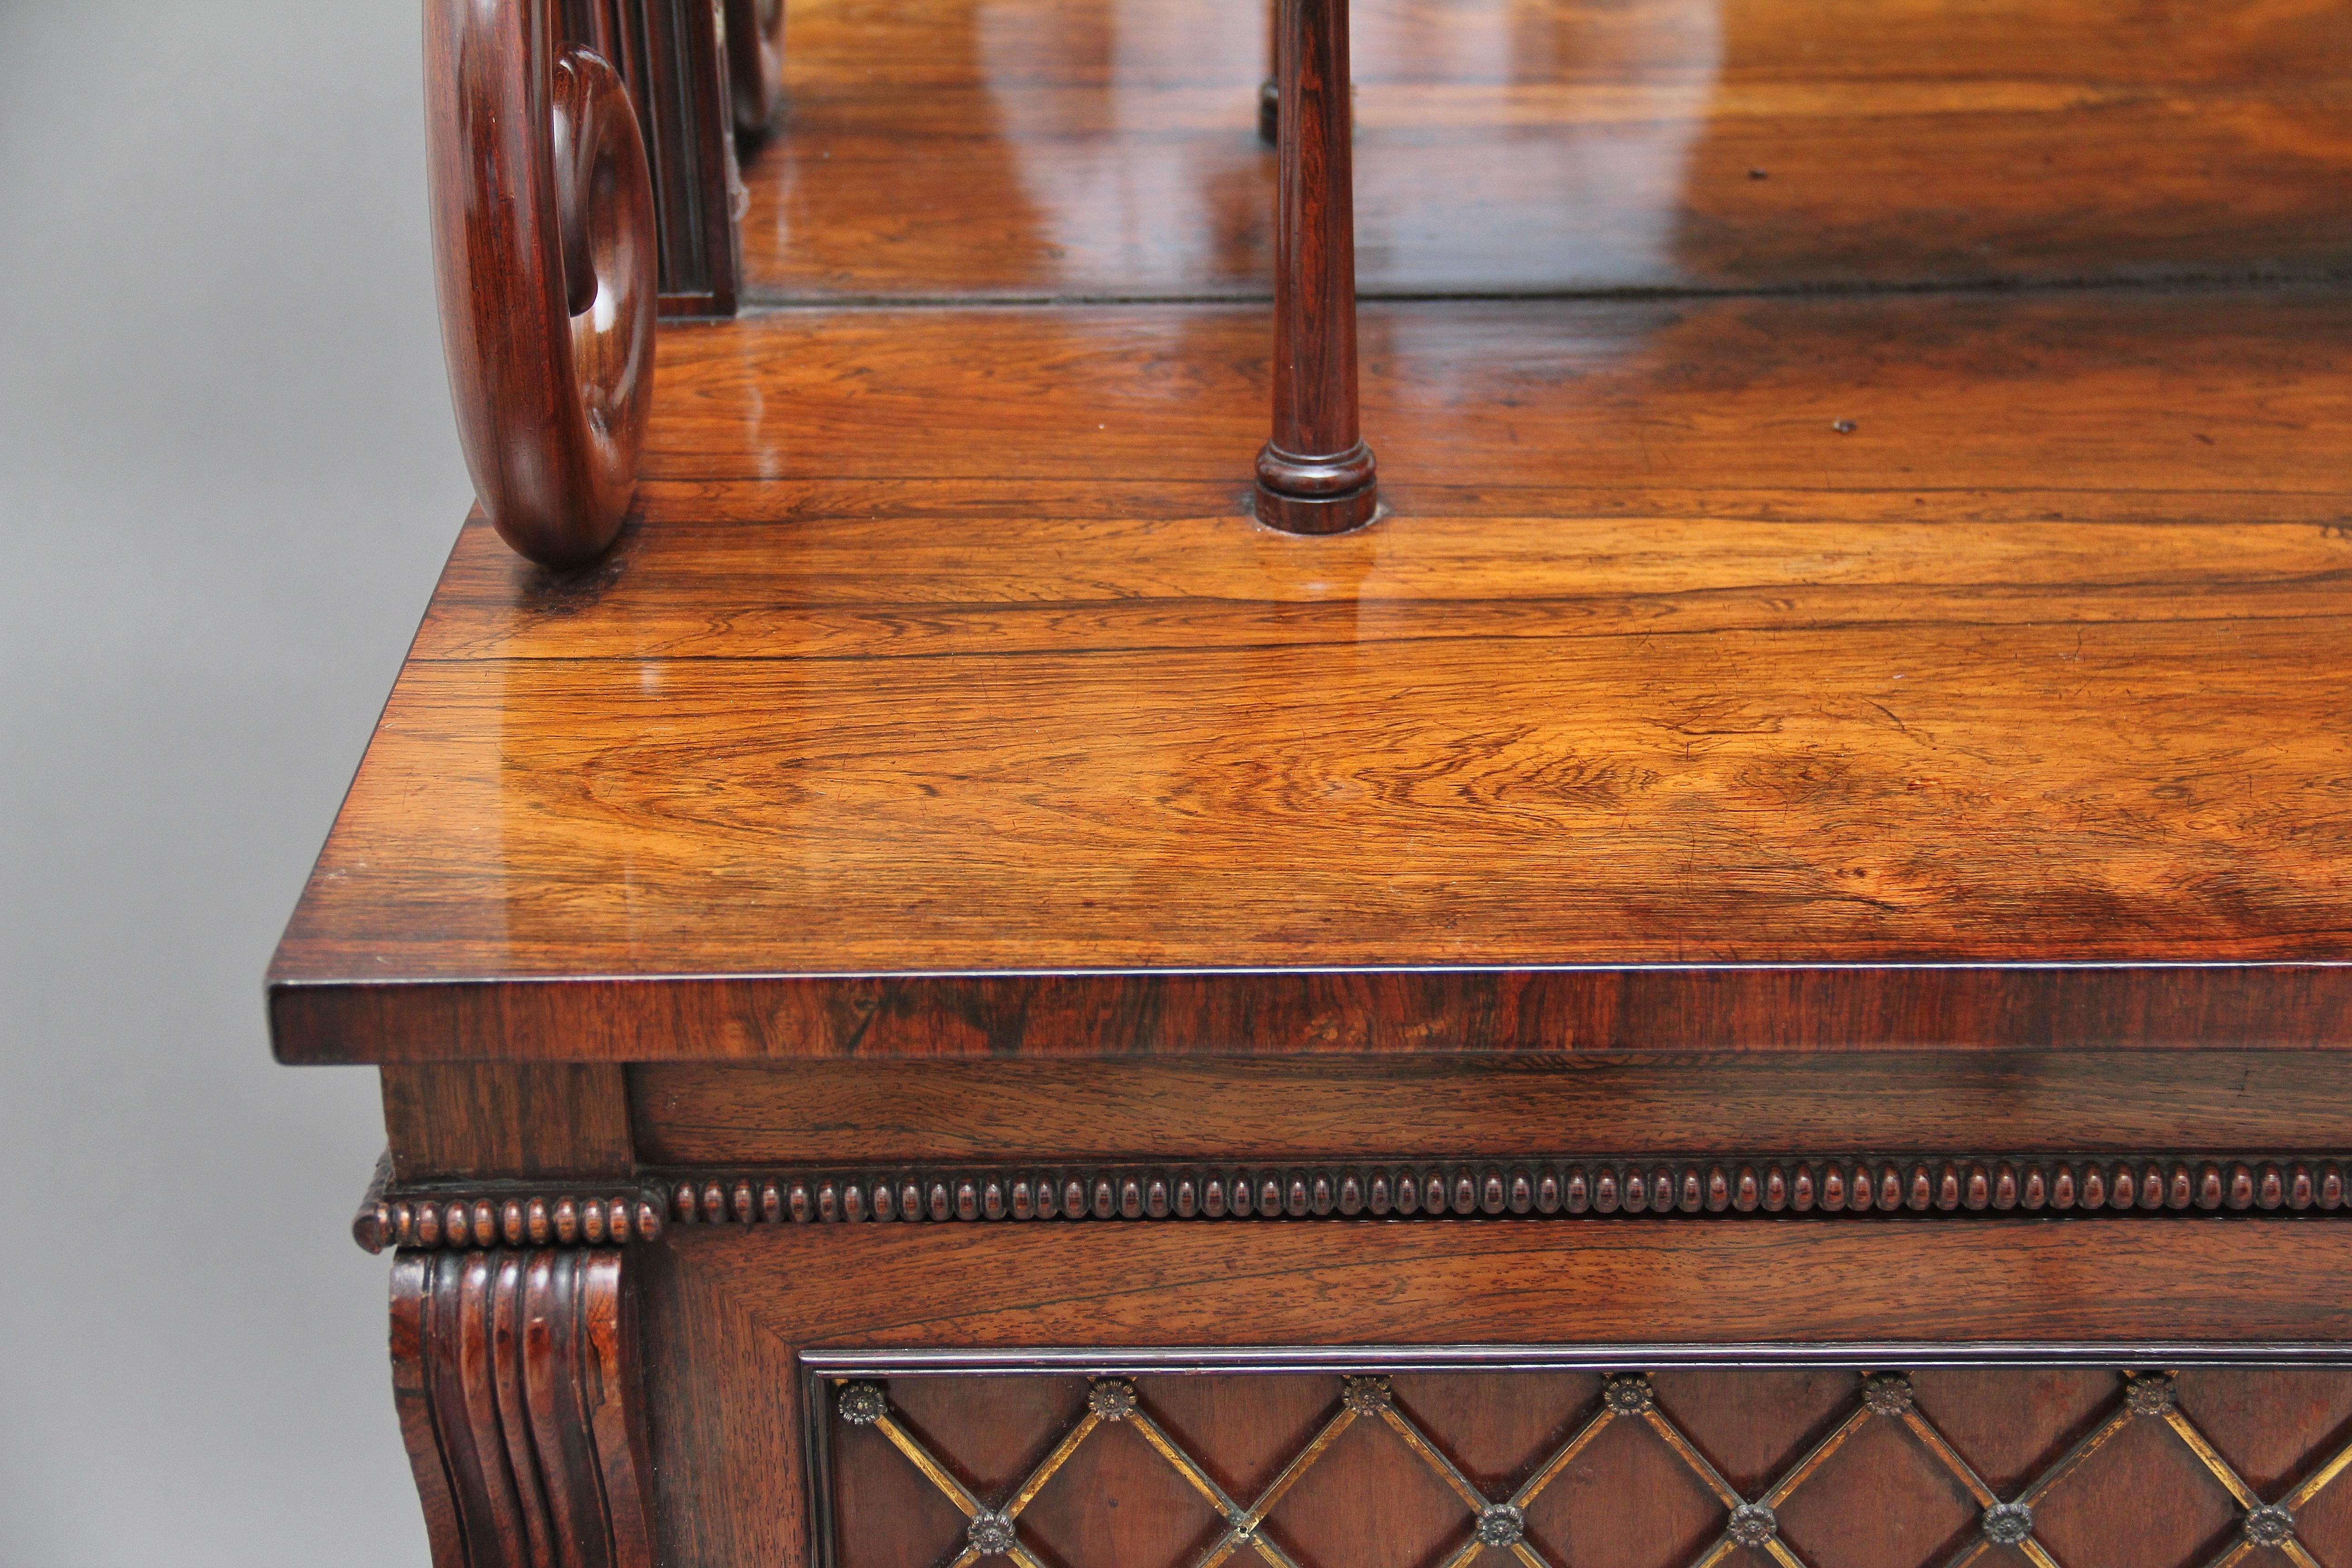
(516, 1379)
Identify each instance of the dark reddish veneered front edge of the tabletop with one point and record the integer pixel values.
(1845, 1010)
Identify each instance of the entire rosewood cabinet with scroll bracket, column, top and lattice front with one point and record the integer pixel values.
(1758, 970)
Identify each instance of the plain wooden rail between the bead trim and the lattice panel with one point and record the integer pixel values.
(1641, 1282)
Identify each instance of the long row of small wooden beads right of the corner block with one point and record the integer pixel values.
(1847, 1186)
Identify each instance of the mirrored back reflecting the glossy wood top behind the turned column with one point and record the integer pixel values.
(1109, 147)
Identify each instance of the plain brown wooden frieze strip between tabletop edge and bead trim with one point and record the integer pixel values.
(817, 1113)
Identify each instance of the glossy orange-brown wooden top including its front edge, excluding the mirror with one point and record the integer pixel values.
(942, 645)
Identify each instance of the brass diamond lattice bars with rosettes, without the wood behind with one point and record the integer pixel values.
(1499, 1525)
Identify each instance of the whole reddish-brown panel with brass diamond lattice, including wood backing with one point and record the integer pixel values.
(1673, 1468)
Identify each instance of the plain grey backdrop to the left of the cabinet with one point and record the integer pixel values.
(227, 483)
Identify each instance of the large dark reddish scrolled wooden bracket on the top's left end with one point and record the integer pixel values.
(547, 264)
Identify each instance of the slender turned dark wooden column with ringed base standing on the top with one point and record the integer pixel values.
(1316, 474)
